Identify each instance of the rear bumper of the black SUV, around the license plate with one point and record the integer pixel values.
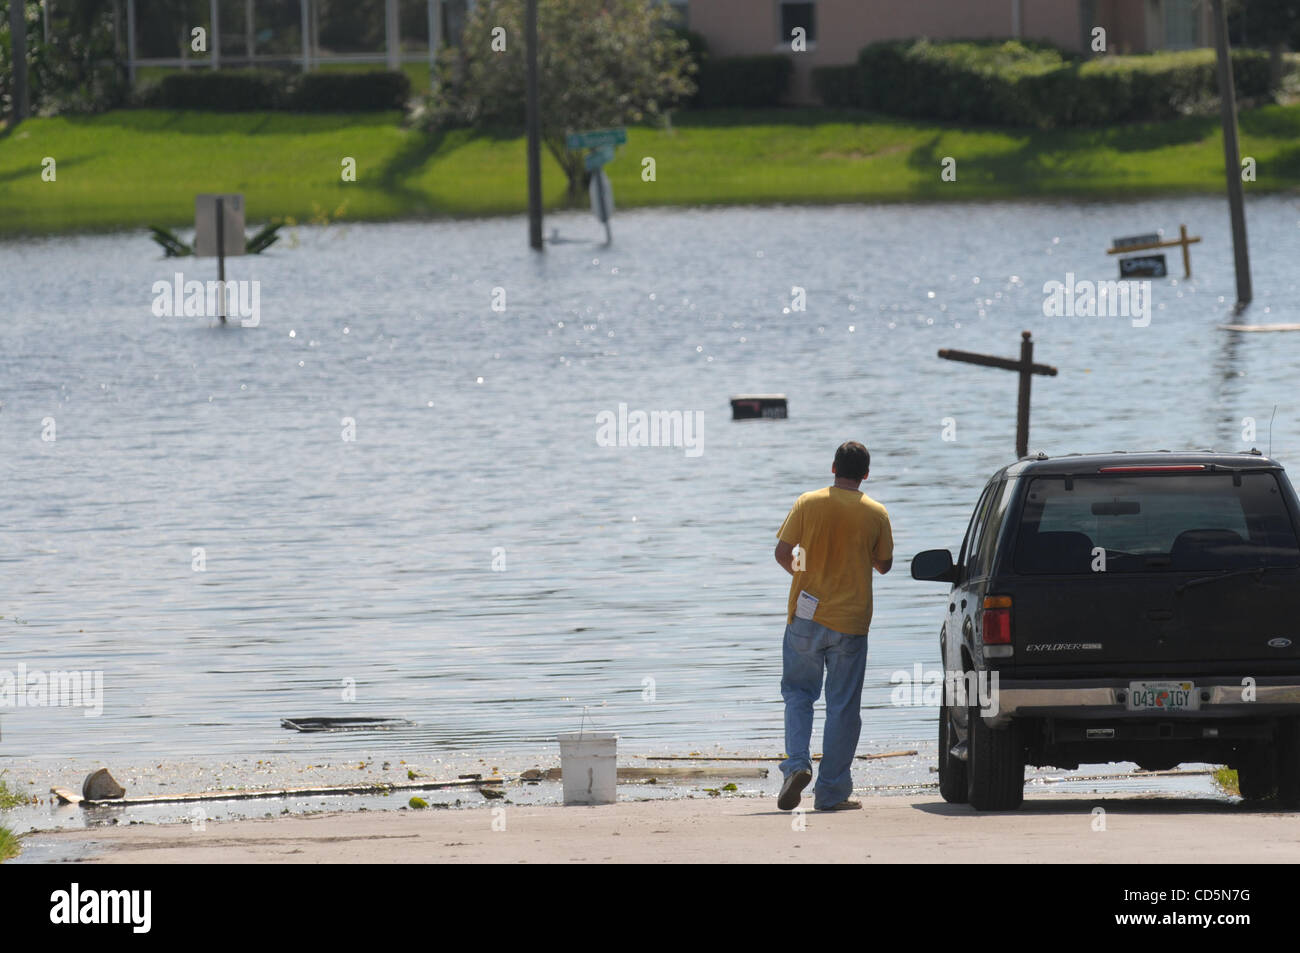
(1093, 699)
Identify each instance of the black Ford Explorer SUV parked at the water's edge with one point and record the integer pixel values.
(1134, 608)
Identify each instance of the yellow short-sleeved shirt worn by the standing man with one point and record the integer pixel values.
(840, 532)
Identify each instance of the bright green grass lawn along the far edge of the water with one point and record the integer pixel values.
(135, 168)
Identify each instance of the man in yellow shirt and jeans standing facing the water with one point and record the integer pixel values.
(842, 535)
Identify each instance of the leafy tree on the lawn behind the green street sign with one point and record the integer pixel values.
(603, 63)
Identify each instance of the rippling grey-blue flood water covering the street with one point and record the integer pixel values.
(474, 561)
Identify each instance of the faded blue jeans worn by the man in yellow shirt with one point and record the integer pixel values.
(812, 649)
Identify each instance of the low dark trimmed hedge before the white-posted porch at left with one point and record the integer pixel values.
(259, 90)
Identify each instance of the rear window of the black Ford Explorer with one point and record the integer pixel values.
(1155, 522)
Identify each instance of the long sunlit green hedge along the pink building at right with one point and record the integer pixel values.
(1033, 85)
